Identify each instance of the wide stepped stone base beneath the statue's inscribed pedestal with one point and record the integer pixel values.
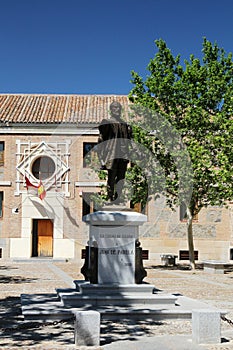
(113, 302)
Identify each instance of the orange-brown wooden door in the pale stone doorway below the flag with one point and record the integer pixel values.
(44, 228)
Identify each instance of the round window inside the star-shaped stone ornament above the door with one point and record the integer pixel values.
(43, 168)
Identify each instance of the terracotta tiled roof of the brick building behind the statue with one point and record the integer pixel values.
(50, 109)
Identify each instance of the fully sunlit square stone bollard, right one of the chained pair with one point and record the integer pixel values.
(206, 327)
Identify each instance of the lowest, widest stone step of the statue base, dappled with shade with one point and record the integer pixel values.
(46, 308)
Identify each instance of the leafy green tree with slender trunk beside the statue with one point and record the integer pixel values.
(189, 108)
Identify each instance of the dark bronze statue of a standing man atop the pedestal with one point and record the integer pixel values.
(114, 135)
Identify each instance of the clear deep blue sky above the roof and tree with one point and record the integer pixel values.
(91, 46)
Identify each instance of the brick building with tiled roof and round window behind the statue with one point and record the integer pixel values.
(57, 130)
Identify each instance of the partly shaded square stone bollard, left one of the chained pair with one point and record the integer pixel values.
(87, 328)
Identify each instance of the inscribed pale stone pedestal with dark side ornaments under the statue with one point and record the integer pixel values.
(113, 236)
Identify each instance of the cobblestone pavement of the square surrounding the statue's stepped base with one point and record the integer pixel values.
(43, 276)
